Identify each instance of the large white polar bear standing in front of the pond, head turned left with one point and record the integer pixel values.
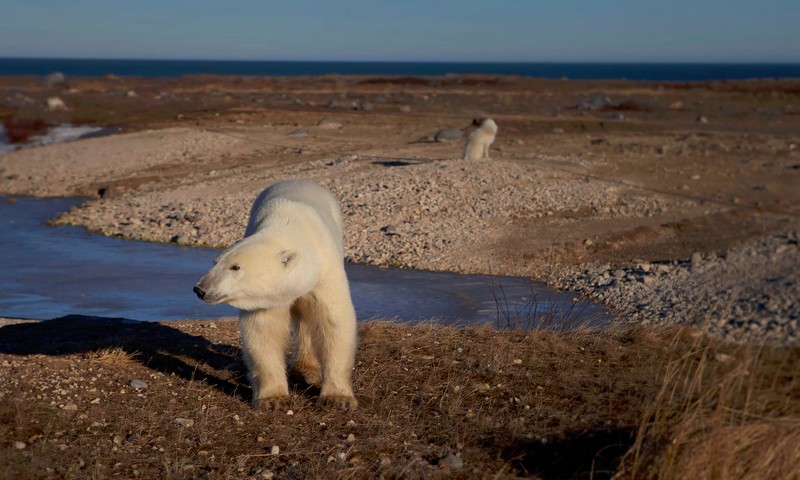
(289, 268)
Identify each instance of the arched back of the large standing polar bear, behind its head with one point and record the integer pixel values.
(303, 192)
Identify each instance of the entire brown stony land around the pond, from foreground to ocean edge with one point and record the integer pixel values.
(671, 203)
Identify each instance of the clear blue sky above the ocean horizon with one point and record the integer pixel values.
(406, 30)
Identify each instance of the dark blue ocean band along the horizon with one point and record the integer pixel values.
(175, 68)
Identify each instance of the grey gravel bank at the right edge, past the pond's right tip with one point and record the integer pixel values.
(747, 293)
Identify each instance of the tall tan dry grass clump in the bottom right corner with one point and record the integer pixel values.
(722, 412)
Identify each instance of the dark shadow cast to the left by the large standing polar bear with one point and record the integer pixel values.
(159, 347)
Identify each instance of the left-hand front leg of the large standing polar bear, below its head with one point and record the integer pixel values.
(265, 336)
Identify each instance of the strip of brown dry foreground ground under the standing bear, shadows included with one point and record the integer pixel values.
(434, 402)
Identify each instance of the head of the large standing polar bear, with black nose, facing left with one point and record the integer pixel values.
(259, 273)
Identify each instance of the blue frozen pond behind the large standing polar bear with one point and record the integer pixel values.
(49, 272)
